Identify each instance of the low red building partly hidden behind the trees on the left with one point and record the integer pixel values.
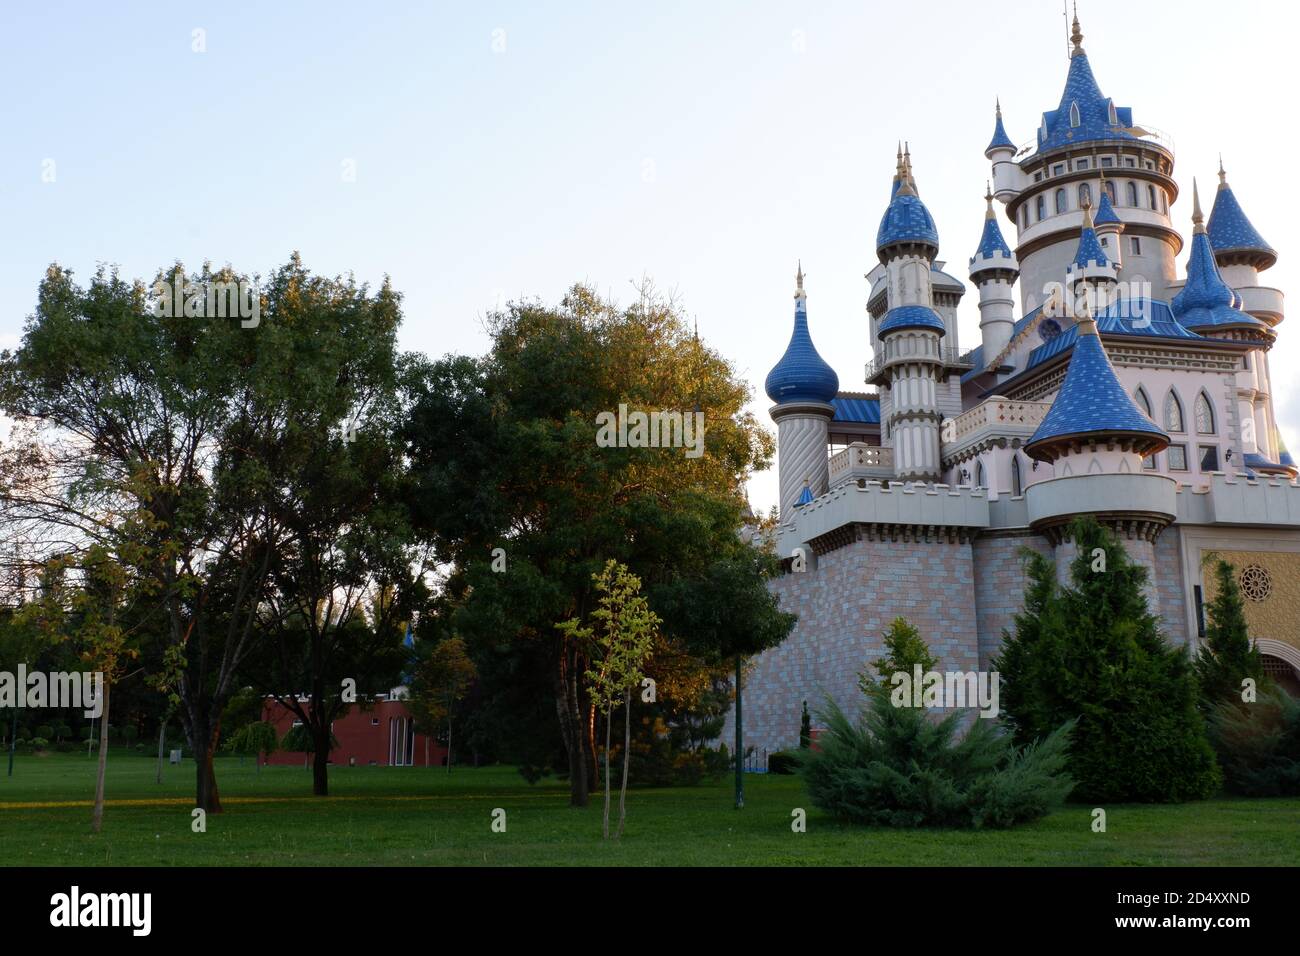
(380, 736)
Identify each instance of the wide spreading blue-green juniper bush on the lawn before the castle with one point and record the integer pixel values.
(902, 768)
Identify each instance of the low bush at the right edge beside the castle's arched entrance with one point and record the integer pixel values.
(1259, 745)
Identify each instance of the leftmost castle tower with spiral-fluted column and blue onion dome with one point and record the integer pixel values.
(801, 386)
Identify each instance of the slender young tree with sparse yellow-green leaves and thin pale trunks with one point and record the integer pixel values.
(623, 637)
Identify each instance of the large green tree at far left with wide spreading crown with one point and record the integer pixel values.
(201, 425)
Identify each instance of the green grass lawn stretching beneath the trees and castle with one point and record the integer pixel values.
(382, 816)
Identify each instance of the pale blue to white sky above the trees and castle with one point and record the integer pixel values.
(492, 152)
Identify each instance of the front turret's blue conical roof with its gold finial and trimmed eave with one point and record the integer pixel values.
(1093, 406)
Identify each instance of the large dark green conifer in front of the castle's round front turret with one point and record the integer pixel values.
(1097, 656)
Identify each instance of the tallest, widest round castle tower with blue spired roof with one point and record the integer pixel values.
(1046, 189)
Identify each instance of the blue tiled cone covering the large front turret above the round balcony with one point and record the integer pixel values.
(1091, 400)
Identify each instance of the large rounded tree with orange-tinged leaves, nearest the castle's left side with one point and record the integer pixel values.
(531, 507)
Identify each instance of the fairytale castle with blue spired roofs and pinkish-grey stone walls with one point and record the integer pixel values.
(1123, 392)
